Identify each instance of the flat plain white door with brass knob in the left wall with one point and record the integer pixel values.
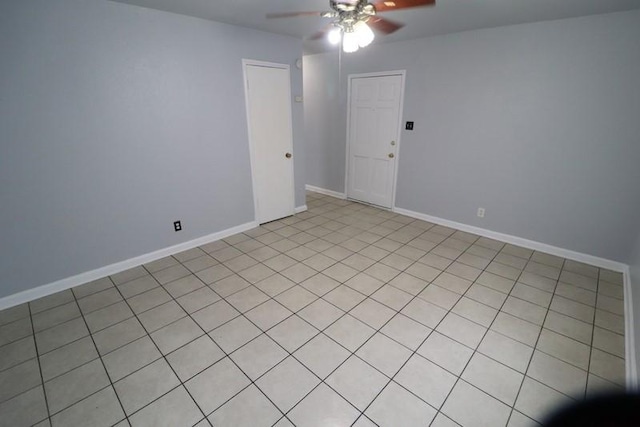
(268, 94)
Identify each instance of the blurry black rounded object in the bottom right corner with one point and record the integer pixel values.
(610, 410)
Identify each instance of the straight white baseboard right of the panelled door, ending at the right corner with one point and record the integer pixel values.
(519, 241)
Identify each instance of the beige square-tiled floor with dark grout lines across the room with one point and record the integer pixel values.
(341, 315)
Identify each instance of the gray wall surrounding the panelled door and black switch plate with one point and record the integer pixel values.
(537, 123)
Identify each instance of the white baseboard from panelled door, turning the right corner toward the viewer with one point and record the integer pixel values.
(629, 334)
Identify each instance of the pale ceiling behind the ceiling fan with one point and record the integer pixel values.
(447, 16)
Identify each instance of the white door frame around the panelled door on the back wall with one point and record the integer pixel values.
(350, 77)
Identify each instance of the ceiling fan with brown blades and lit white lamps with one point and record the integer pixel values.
(353, 20)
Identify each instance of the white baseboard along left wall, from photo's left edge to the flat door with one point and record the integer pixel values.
(88, 276)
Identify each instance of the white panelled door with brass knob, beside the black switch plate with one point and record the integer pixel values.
(374, 128)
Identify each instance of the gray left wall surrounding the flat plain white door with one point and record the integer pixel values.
(115, 121)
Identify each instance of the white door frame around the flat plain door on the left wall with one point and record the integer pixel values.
(252, 156)
